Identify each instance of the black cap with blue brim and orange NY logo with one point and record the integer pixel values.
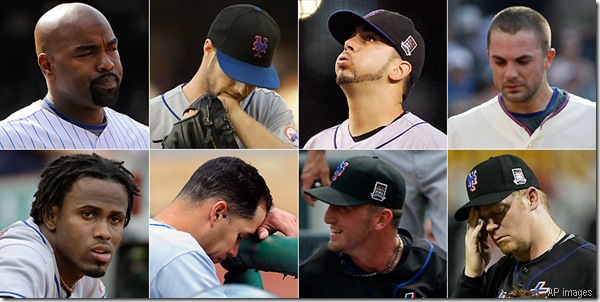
(246, 38)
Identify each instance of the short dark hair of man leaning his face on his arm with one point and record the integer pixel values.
(230, 179)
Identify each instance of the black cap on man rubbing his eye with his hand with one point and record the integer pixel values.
(495, 179)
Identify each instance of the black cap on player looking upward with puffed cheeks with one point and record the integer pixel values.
(396, 28)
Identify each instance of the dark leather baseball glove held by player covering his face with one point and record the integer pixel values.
(209, 128)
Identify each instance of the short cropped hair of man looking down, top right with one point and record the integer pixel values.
(514, 19)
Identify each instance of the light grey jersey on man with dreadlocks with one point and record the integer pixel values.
(28, 266)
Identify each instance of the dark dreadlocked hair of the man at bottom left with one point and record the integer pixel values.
(59, 176)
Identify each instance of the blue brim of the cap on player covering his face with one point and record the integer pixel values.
(265, 77)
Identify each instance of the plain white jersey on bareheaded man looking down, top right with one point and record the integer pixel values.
(491, 126)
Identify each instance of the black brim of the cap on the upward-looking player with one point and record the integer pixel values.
(342, 25)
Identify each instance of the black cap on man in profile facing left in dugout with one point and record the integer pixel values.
(363, 180)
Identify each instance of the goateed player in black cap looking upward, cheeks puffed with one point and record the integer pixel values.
(382, 59)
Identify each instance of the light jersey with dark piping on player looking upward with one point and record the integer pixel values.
(407, 132)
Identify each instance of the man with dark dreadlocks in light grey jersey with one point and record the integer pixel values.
(80, 210)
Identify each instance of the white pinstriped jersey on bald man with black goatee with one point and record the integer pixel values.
(35, 127)
